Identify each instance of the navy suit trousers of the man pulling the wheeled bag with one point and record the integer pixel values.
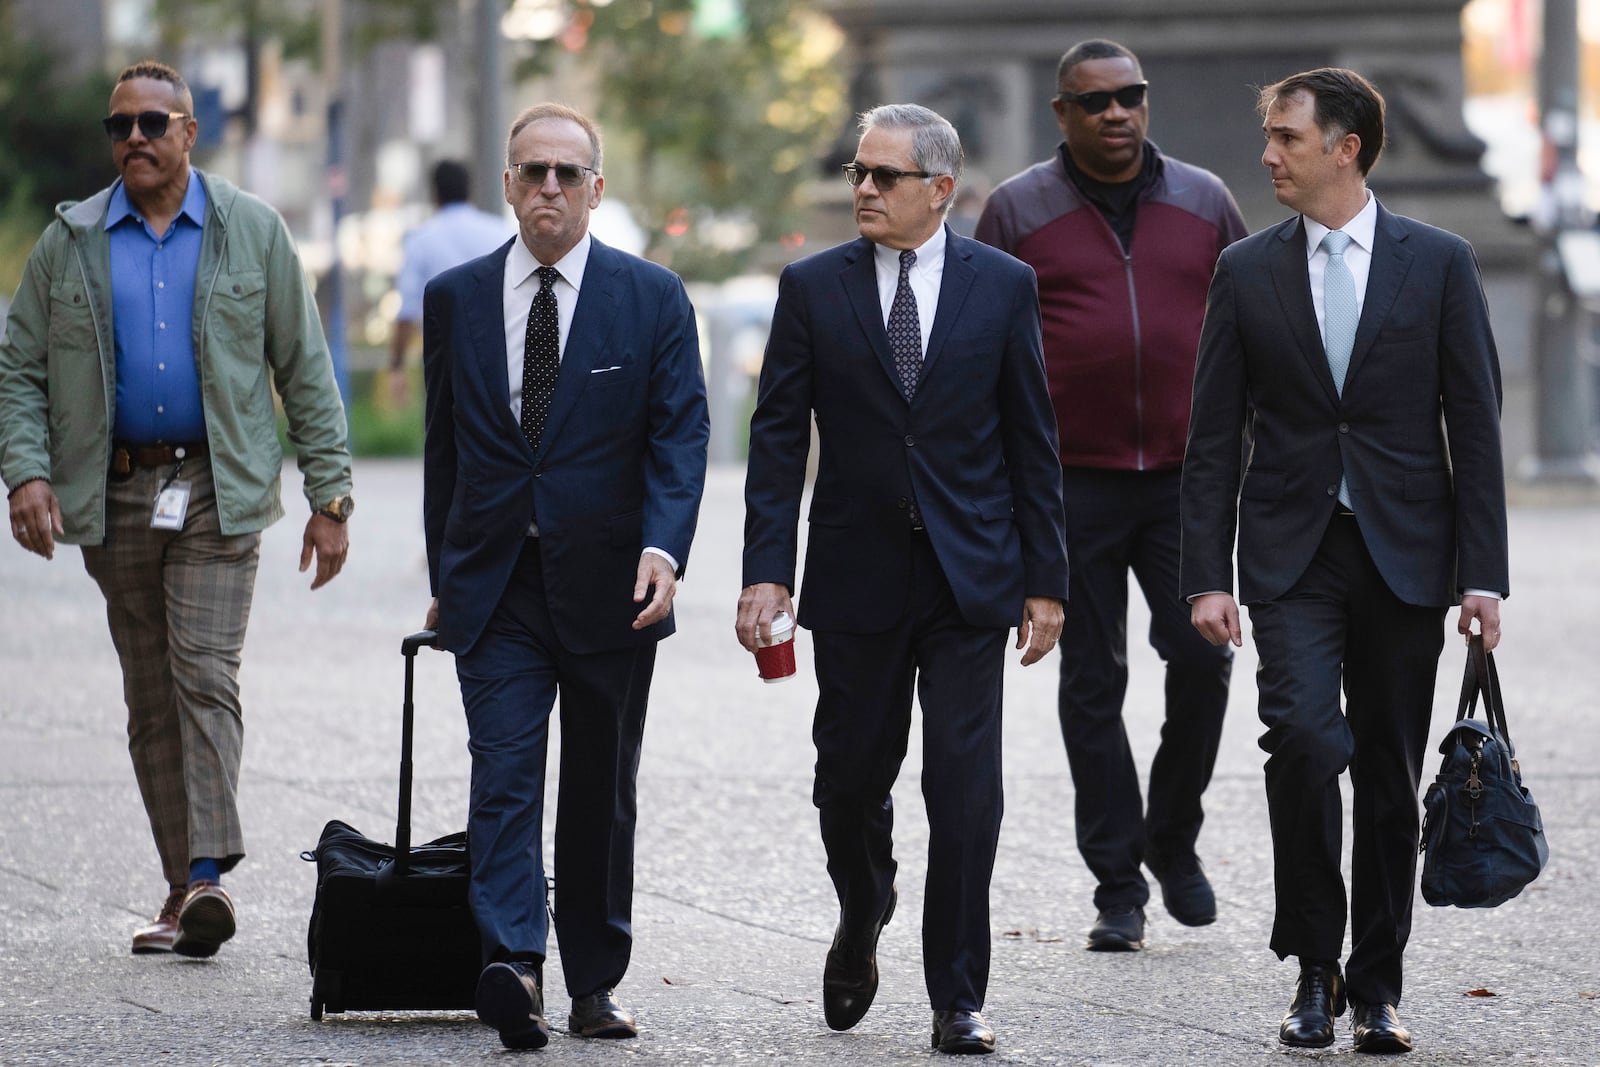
(510, 684)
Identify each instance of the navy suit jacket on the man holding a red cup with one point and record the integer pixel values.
(977, 446)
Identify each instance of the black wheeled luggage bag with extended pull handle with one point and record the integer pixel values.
(391, 927)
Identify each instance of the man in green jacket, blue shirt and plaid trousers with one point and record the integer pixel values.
(137, 422)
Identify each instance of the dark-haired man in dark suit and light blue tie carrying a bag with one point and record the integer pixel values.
(1353, 346)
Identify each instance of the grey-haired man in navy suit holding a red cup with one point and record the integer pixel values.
(937, 526)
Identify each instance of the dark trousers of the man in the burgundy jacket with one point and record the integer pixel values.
(1121, 521)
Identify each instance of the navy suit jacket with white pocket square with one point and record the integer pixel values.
(622, 463)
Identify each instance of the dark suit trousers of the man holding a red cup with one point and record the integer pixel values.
(862, 732)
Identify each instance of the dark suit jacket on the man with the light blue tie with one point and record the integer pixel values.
(1417, 433)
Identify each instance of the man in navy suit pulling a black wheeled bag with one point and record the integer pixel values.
(564, 470)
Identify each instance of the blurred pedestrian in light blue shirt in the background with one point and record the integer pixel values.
(457, 234)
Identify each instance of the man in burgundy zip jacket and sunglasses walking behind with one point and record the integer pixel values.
(1124, 242)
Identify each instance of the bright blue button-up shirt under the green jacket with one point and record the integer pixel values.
(153, 298)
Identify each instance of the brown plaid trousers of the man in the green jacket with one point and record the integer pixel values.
(178, 604)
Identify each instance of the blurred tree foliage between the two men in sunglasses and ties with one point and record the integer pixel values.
(714, 114)
